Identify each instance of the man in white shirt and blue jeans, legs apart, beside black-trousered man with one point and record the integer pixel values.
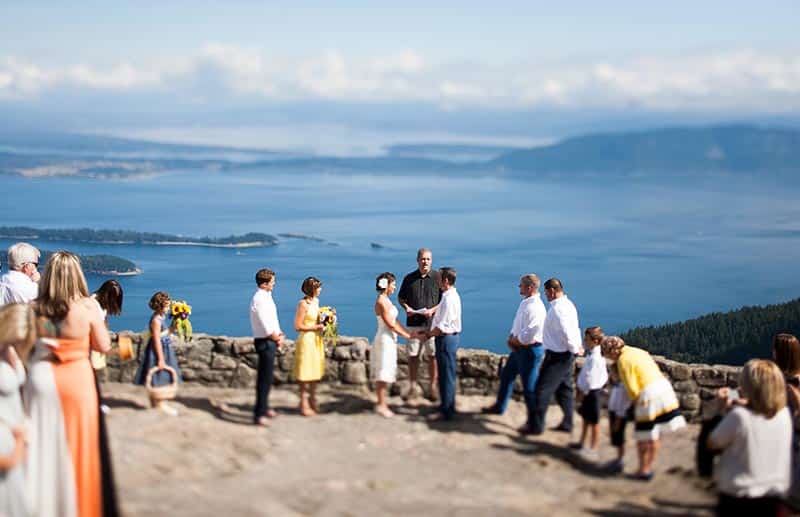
(525, 343)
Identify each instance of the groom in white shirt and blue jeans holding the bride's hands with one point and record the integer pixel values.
(445, 327)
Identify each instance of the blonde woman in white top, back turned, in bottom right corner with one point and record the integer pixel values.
(755, 437)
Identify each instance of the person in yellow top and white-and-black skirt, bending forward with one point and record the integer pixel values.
(655, 406)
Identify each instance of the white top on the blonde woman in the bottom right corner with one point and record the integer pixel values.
(756, 460)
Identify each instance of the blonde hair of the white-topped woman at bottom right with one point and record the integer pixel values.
(761, 382)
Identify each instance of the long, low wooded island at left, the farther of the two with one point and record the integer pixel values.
(87, 235)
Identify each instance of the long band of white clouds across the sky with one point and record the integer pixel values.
(737, 80)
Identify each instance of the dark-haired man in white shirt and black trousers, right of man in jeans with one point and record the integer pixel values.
(562, 341)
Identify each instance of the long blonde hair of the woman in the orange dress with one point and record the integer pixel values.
(62, 283)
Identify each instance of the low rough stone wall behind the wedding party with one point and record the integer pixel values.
(231, 361)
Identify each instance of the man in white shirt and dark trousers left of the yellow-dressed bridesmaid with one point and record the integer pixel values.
(267, 339)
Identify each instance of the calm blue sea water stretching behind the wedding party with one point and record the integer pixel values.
(629, 252)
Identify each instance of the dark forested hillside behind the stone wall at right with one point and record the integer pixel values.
(727, 338)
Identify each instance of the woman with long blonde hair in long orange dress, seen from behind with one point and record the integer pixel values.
(69, 472)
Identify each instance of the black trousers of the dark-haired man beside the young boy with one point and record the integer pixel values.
(555, 378)
